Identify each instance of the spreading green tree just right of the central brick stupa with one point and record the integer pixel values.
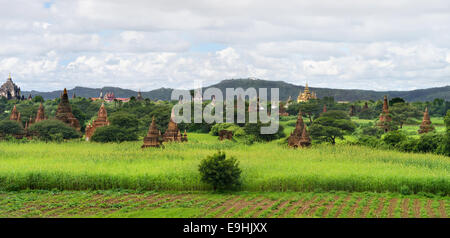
(331, 125)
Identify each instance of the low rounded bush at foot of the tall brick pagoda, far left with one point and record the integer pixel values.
(53, 130)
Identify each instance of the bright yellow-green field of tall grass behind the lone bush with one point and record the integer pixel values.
(266, 167)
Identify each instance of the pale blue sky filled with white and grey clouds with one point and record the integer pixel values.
(143, 45)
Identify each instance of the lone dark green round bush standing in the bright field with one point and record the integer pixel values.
(220, 172)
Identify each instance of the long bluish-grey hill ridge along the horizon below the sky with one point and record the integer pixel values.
(286, 90)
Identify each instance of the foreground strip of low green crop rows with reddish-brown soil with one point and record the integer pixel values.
(202, 204)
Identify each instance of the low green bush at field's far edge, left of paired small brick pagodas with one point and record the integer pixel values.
(113, 134)
